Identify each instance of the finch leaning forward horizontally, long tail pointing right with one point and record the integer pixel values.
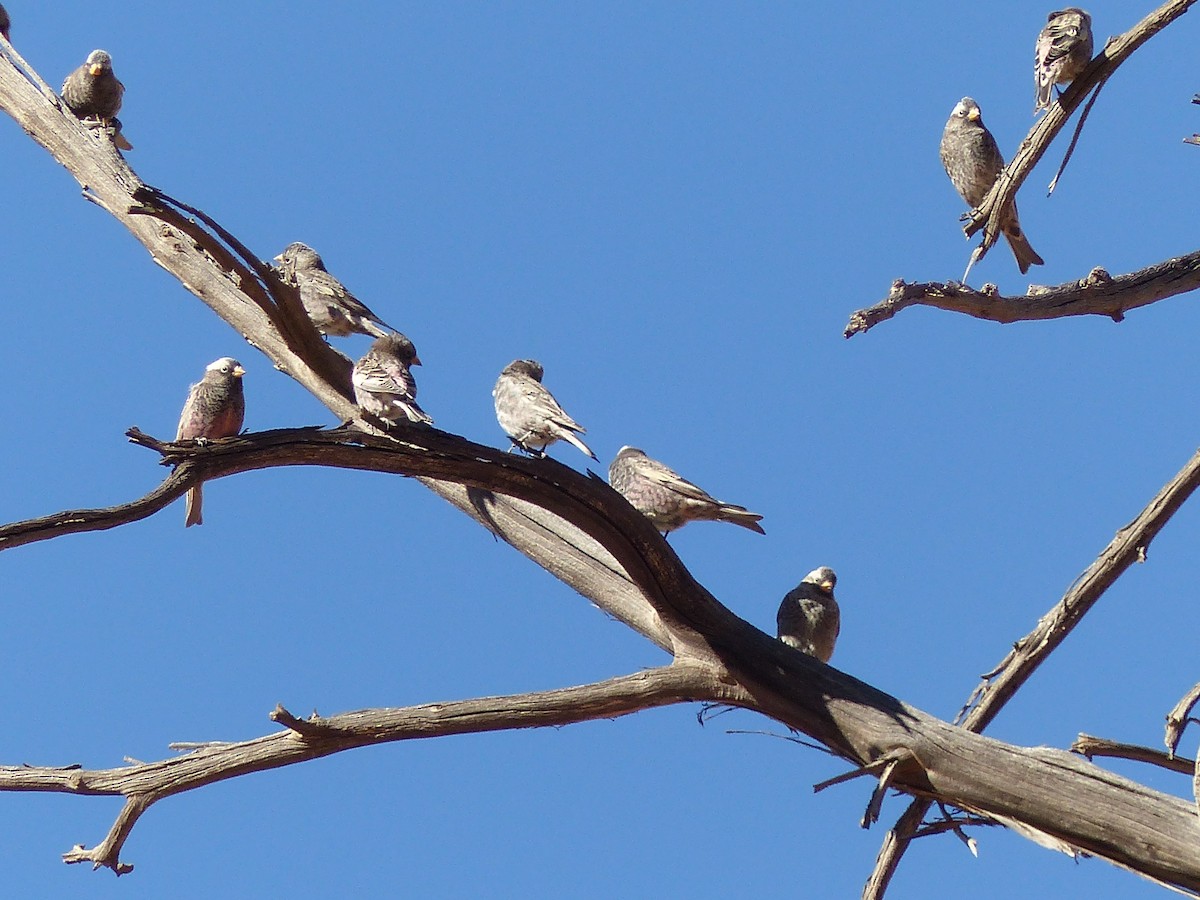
(669, 500)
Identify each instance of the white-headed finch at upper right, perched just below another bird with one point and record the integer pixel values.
(974, 163)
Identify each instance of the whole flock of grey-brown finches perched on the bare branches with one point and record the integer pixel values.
(809, 619)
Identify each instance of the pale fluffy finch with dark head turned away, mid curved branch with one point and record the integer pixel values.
(530, 415)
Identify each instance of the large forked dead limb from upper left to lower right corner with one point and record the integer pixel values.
(584, 533)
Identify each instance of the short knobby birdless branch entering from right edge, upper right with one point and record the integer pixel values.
(1096, 295)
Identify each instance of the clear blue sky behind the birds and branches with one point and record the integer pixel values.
(675, 207)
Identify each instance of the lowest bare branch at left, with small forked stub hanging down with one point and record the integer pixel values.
(145, 784)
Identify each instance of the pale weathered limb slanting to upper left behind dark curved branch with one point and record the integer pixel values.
(213, 266)
